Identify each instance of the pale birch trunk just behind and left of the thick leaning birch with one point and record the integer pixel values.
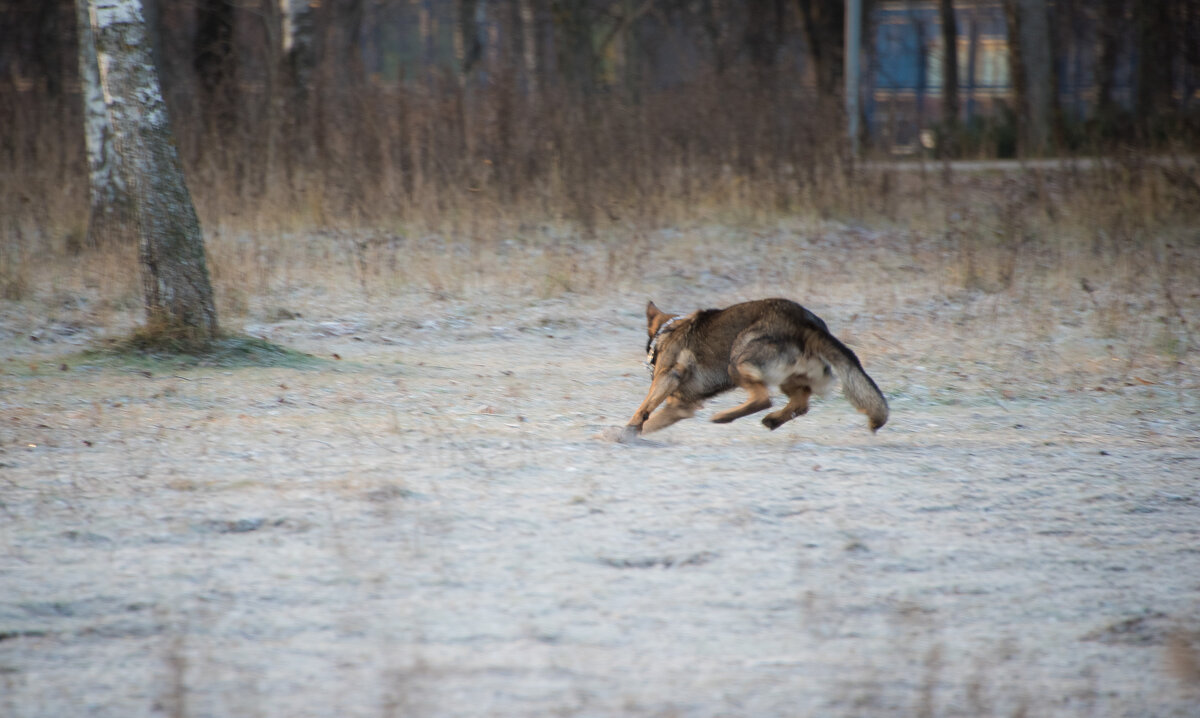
(111, 211)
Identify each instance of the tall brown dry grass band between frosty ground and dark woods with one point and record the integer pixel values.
(445, 188)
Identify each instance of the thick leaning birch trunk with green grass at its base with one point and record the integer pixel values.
(171, 247)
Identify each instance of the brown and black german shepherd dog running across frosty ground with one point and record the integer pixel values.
(755, 345)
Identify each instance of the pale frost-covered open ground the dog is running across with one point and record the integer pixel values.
(436, 524)
